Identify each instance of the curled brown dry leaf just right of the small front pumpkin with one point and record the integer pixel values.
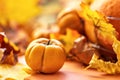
(82, 50)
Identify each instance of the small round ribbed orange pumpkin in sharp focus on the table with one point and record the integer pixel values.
(45, 55)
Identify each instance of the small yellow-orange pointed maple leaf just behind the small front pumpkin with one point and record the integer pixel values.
(67, 39)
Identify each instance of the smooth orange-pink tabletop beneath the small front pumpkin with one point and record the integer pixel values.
(72, 71)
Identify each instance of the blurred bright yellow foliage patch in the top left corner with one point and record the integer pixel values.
(18, 10)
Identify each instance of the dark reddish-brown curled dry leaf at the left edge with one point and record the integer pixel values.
(9, 50)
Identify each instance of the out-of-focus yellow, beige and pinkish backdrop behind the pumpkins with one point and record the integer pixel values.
(25, 20)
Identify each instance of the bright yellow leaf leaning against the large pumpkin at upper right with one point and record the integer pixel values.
(99, 21)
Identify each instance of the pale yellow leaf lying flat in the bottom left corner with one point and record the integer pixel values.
(10, 72)
